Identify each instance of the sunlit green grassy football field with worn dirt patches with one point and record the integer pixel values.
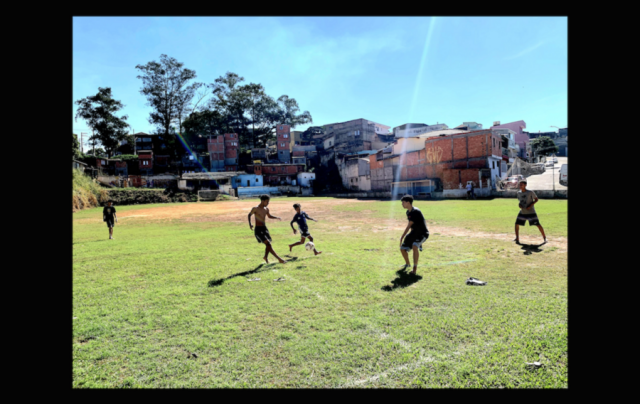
(169, 303)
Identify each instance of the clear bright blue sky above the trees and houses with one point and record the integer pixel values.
(391, 70)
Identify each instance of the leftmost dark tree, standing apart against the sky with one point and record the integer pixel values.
(99, 113)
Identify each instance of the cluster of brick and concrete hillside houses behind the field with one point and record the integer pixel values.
(358, 155)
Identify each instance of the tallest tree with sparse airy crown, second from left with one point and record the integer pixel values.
(164, 84)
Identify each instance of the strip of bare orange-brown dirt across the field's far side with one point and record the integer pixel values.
(236, 211)
